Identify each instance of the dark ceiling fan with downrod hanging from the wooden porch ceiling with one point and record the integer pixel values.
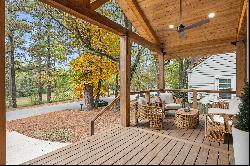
(181, 28)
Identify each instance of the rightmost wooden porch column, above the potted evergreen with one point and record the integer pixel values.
(241, 66)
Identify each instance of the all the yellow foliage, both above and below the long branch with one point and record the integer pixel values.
(89, 68)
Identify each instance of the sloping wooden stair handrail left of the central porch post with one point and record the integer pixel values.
(107, 108)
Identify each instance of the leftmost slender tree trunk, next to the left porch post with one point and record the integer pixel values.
(12, 72)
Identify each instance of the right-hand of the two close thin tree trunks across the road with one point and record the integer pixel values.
(49, 86)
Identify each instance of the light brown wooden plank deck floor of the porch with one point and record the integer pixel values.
(142, 146)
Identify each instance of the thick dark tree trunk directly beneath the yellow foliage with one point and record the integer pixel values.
(88, 96)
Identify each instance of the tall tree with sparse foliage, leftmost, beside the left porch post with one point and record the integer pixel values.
(15, 31)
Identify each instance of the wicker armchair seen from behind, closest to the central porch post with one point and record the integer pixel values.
(153, 113)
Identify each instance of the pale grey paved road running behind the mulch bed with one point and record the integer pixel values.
(24, 113)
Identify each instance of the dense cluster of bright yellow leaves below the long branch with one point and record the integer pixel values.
(89, 69)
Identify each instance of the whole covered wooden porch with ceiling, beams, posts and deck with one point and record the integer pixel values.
(128, 144)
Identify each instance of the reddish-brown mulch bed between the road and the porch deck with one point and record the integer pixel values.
(64, 126)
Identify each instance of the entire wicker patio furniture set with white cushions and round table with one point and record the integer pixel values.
(218, 120)
